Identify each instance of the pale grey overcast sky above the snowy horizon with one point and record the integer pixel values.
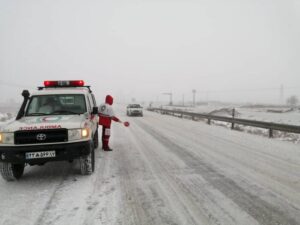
(233, 50)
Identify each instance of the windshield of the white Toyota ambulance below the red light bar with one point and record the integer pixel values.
(64, 104)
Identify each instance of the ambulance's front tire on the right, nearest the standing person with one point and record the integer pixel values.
(87, 162)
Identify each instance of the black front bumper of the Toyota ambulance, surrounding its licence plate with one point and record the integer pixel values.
(63, 152)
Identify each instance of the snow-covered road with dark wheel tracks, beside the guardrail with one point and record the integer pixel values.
(164, 170)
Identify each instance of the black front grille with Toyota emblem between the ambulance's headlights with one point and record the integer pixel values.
(41, 136)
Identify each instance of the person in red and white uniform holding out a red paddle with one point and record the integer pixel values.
(106, 115)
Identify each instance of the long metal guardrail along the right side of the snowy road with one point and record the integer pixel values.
(253, 123)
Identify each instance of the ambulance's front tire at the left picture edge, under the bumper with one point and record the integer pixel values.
(10, 171)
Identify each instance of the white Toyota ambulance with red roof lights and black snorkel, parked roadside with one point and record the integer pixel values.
(59, 122)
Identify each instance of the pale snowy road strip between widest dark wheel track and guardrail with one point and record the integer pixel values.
(272, 174)
